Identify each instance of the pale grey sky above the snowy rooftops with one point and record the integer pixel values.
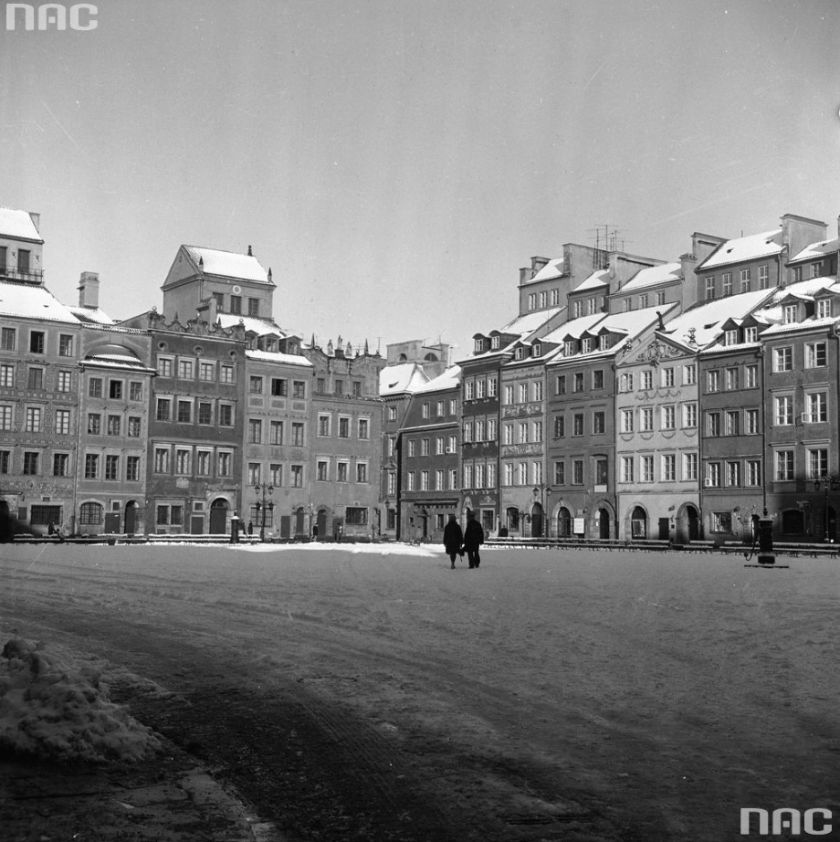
(395, 163)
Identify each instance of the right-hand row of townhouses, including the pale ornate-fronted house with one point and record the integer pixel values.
(658, 400)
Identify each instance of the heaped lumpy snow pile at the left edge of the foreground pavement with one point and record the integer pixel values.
(51, 710)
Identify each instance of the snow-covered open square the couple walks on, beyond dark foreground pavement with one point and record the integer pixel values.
(659, 693)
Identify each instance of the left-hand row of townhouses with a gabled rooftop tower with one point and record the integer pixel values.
(159, 423)
